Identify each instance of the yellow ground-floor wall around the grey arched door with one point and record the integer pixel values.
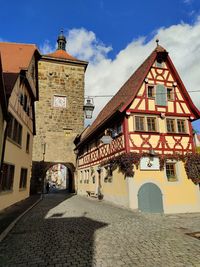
(180, 196)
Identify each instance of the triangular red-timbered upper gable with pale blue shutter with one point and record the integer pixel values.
(162, 91)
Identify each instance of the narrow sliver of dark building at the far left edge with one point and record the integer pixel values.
(3, 117)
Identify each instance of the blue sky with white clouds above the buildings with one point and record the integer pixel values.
(114, 36)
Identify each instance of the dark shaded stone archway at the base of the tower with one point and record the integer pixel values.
(39, 170)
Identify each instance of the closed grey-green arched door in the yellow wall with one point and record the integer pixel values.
(150, 198)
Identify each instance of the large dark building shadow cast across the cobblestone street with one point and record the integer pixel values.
(50, 236)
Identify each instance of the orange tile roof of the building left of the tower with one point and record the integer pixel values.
(16, 57)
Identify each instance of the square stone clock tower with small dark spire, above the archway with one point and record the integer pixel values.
(59, 111)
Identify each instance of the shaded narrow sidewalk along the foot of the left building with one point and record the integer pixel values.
(10, 214)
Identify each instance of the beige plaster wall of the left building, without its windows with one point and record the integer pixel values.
(17, 155)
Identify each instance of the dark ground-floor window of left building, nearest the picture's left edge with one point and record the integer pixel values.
(6, 182)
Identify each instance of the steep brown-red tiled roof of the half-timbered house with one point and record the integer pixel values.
(129, 90)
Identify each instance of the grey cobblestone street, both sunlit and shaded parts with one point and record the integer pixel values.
(78, 231)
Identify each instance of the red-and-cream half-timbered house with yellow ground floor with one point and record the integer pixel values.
(150, 116)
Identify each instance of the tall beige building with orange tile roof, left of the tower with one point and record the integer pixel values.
(20, 73)
